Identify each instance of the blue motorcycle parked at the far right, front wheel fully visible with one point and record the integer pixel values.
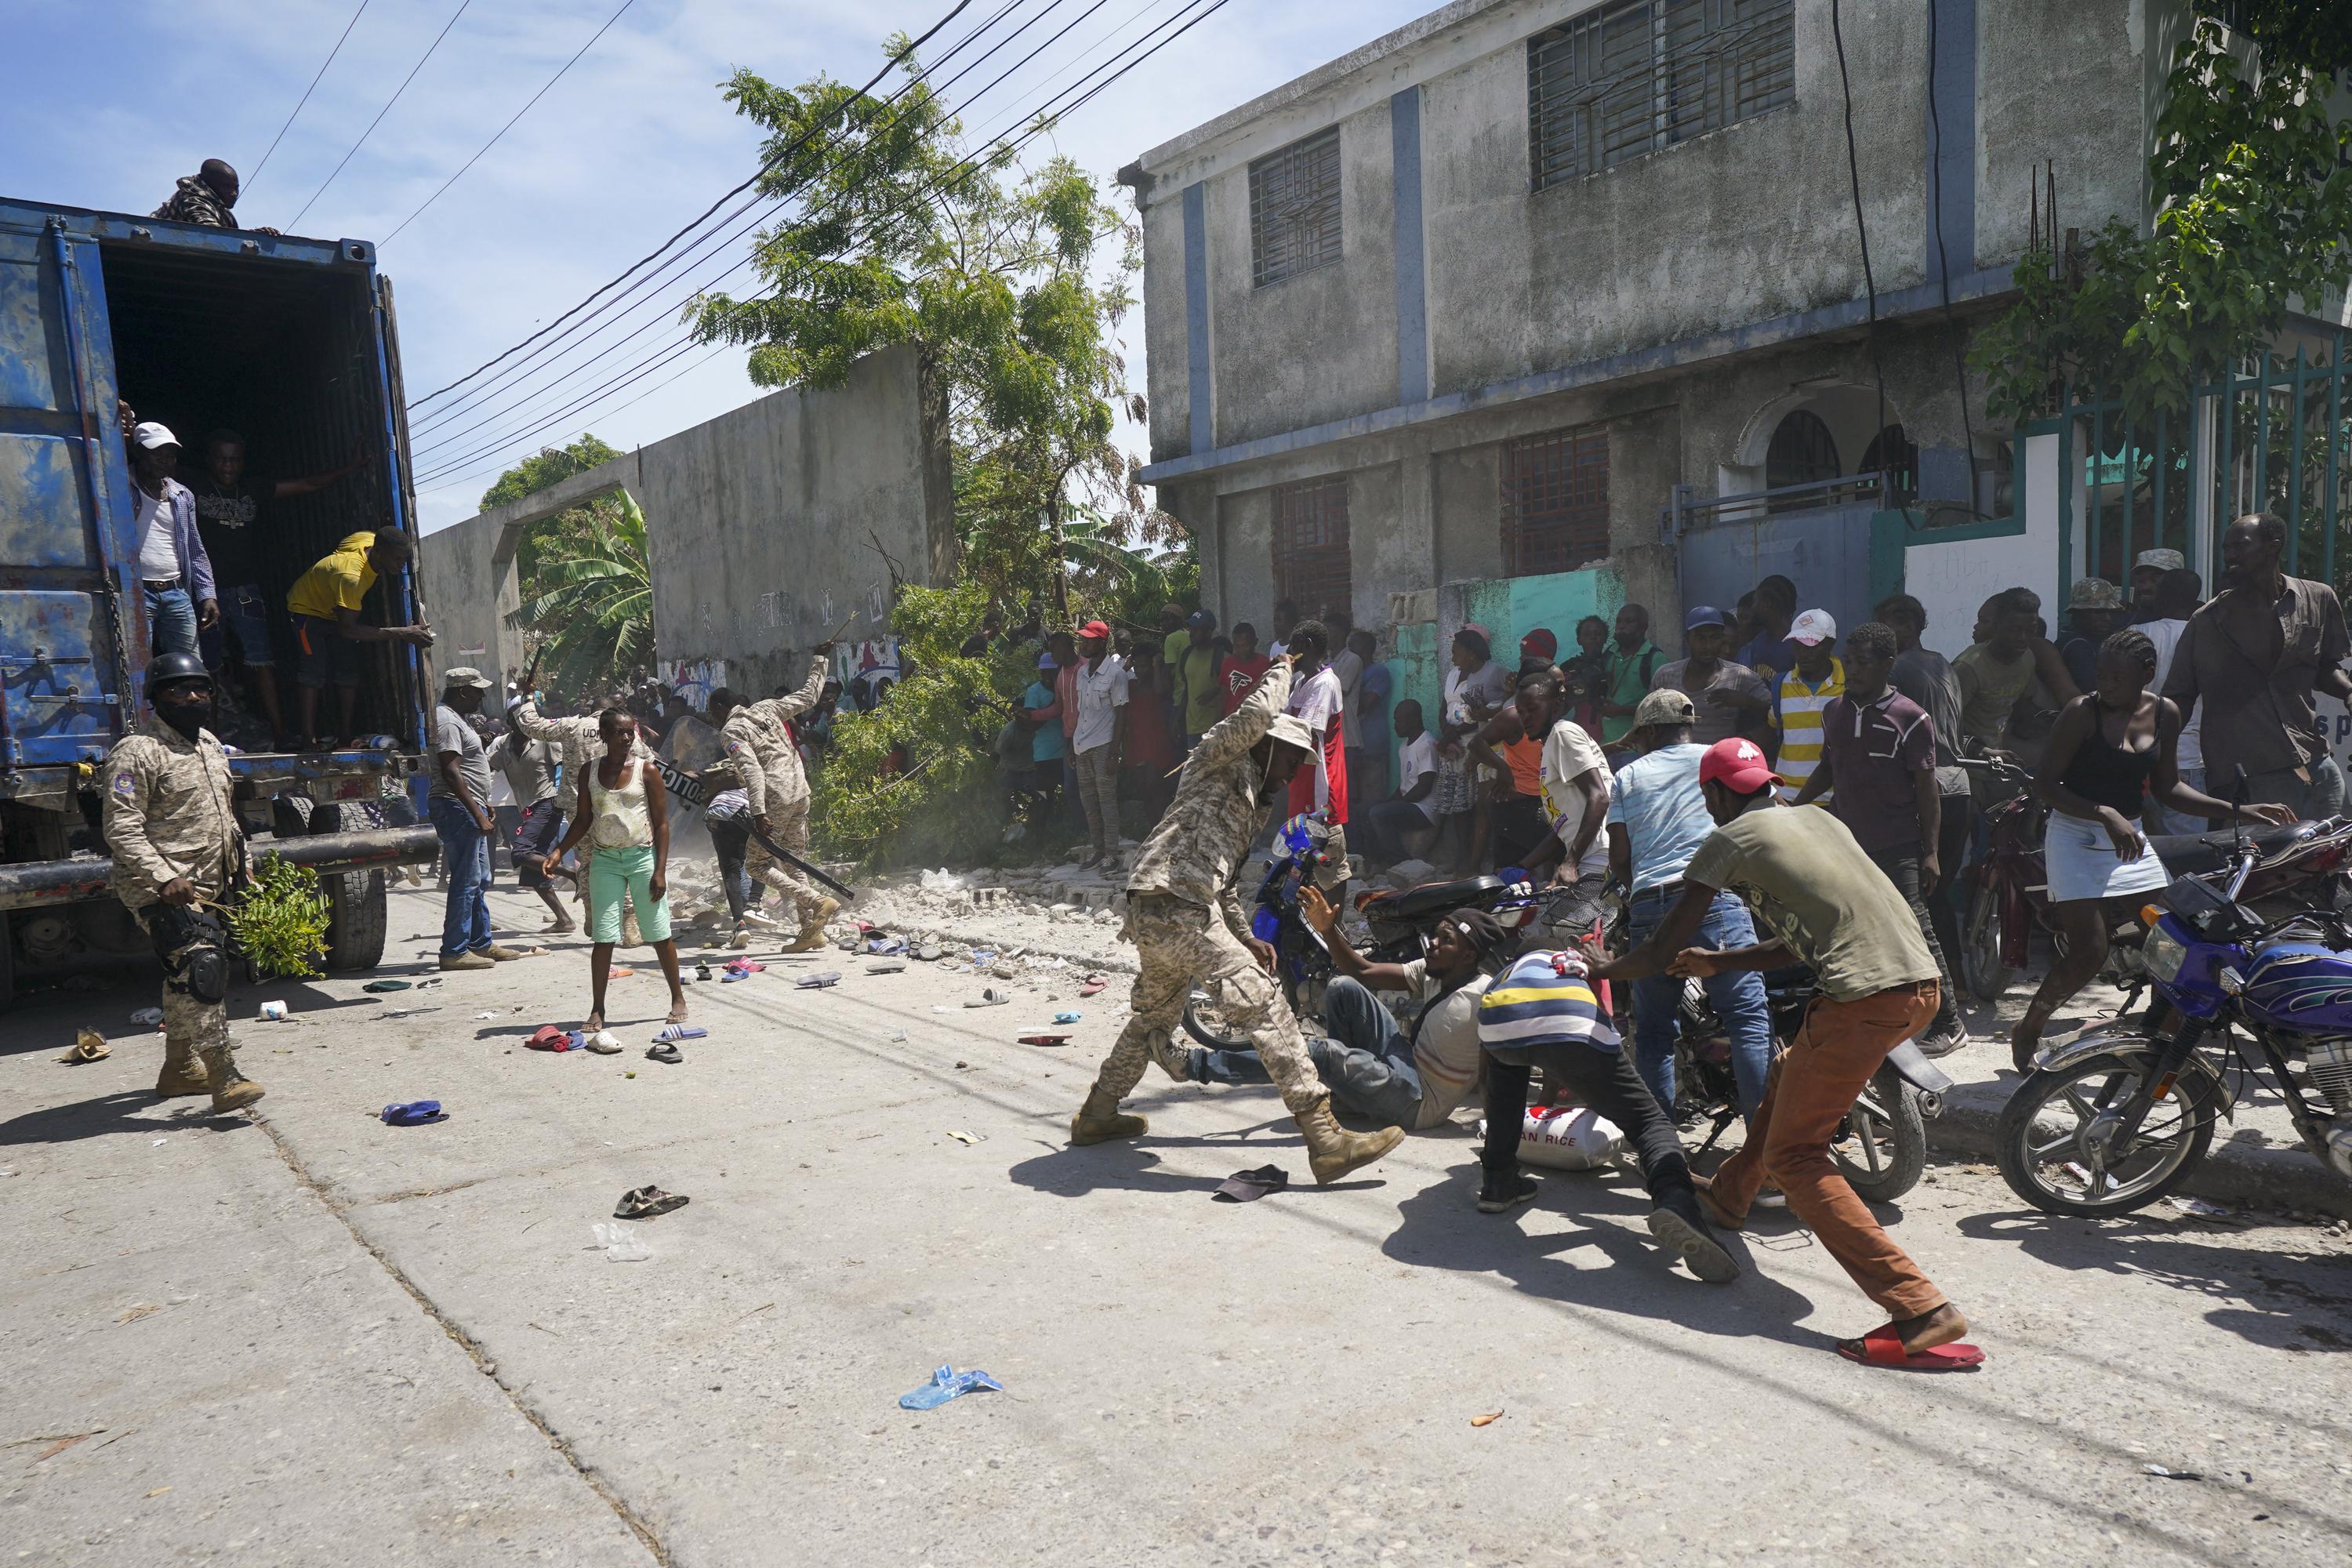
(2118, 1115)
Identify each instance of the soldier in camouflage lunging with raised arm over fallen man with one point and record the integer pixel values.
(1189, 927)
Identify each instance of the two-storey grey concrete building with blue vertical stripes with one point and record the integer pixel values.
(1511, 314)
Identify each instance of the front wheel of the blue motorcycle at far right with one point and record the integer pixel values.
(2052, 1160)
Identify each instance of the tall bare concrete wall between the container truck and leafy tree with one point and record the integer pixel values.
(770, 528)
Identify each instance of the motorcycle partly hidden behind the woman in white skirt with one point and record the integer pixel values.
(2010, 897)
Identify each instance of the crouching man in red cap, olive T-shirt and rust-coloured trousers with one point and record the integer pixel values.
(1824, 904)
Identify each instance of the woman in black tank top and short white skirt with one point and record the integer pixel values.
(2109, 749)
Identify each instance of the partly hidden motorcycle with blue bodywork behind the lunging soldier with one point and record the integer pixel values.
(1401, 925)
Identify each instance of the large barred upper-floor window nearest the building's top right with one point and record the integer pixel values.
(1631, 79)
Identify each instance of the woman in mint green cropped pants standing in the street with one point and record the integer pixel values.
(624, 815)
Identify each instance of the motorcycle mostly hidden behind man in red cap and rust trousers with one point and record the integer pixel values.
(1880, 1146)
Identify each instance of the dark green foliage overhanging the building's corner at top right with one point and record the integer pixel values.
(2252, 182)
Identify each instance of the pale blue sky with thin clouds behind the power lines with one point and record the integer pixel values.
(112, 100)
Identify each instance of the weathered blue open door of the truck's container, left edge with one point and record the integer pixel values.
(72, 626)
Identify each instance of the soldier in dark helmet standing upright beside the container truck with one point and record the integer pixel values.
(178, 847)
